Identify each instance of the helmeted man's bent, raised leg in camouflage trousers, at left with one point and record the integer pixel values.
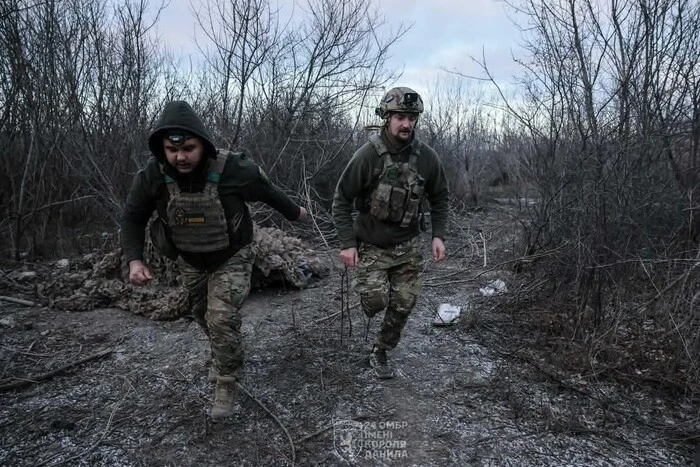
(371, 279)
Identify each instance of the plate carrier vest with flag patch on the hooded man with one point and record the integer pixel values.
(197, 220)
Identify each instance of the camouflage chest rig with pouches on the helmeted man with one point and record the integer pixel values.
(399, 194)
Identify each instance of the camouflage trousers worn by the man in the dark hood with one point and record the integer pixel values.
(215, 299)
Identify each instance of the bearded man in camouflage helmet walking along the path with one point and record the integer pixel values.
(387, 181)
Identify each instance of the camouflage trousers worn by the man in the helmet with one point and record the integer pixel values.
(389, 278)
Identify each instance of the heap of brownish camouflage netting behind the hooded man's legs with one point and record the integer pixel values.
(95, 281)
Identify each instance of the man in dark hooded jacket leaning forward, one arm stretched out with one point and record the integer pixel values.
(200, 195)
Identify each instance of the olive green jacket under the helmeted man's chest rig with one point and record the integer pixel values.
(359, 180)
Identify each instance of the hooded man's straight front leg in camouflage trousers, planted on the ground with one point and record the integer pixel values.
(228, 287)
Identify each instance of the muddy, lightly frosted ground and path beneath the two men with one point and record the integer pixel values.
(463, 395)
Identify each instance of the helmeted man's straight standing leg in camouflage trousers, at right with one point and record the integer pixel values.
(406, 284)
